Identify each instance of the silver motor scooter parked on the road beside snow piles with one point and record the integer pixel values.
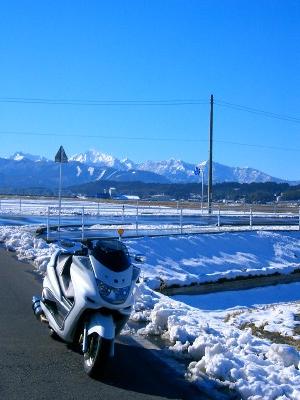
(87, 298)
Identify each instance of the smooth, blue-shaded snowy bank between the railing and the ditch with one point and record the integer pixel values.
(207, 258)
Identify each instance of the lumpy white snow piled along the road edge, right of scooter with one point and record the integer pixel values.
(255, 368)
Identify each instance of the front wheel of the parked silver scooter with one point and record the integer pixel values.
(97, 356)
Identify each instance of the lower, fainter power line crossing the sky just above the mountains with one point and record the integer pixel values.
(144, 138)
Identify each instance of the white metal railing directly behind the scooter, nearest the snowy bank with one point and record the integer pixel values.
(140, 221)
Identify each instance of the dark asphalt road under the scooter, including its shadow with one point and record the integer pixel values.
(34, 366)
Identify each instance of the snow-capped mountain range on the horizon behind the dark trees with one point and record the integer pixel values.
(94, 165)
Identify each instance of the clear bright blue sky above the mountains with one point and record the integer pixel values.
(244, 52)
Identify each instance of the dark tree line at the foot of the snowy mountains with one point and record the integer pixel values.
(227, 191)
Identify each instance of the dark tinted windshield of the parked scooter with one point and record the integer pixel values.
(112, 254)
